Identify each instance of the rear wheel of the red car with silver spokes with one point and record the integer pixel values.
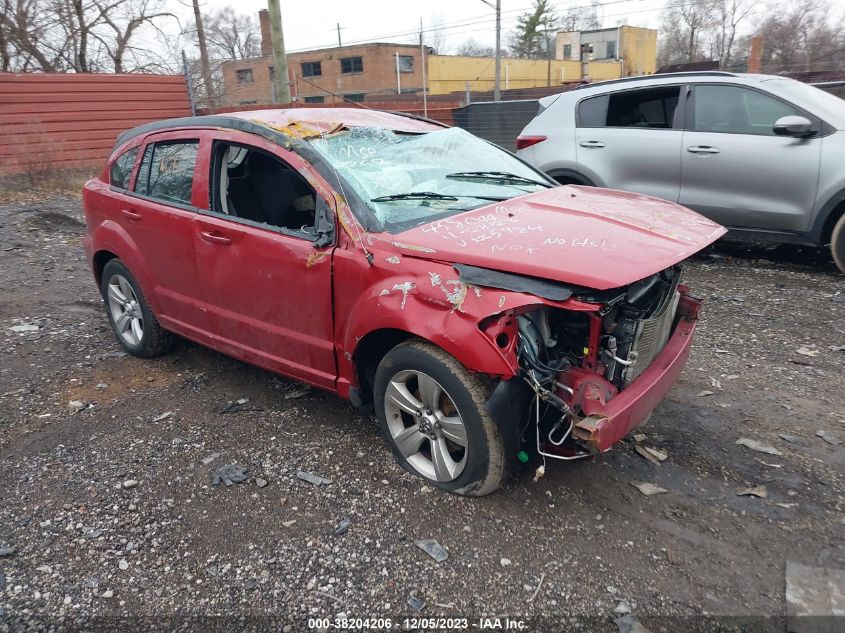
(132, 321)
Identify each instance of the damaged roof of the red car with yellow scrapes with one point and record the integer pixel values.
(296, 123)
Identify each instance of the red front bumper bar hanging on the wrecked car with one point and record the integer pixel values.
(611, 422)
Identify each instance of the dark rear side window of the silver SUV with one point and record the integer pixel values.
(652, 108)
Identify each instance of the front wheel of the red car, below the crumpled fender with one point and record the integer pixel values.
(431, 410)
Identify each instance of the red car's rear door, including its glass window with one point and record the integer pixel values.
(158, 214)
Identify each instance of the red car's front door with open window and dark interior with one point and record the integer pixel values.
(265, 274)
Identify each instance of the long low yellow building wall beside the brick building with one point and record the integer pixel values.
(454, 73)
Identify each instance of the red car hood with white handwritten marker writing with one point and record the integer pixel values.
(596, 238)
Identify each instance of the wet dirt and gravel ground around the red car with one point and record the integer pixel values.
(114, 521)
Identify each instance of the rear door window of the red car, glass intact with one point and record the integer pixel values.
(167, 171)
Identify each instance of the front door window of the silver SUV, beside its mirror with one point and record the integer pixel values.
(737, 110)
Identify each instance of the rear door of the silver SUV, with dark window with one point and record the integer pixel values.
(631, 140)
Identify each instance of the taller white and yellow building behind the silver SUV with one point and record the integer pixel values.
(635, 47)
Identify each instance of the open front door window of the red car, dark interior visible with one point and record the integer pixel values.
(257, 186)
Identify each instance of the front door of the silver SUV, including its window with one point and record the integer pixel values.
(736, 171)
